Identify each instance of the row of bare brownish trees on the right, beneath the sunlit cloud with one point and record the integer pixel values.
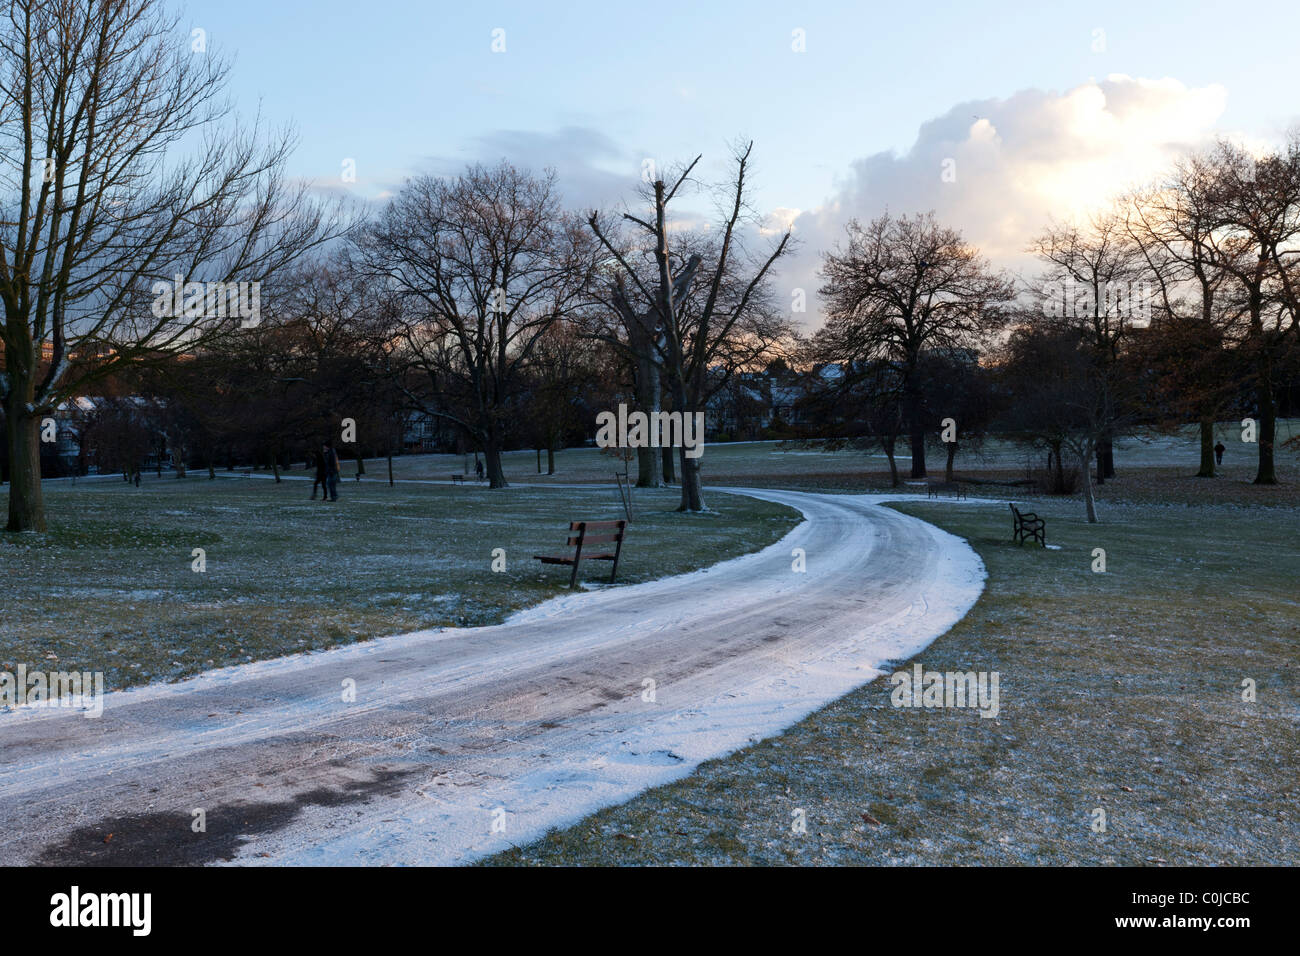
(1163, 310)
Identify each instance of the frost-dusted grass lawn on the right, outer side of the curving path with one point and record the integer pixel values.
(1120, 691)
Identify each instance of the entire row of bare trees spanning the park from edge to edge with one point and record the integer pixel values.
(483, 302)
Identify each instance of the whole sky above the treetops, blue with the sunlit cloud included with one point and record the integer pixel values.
(996, 116)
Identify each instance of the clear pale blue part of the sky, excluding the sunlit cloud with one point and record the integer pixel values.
(396, 85)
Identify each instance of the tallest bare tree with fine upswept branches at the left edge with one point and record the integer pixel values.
(118, 178)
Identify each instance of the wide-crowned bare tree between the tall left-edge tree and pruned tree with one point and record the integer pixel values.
(480, 266)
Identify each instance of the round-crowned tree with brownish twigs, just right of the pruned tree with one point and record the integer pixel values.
(902, 288)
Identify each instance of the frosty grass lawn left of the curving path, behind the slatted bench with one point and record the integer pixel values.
(111, 586)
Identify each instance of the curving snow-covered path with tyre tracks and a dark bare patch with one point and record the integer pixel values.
(465, 742)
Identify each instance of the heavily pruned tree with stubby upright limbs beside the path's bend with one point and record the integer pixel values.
(727, 325)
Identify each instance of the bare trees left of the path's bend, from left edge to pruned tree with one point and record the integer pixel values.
(124, 176)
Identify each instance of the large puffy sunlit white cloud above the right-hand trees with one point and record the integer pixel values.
(1013, 165)
